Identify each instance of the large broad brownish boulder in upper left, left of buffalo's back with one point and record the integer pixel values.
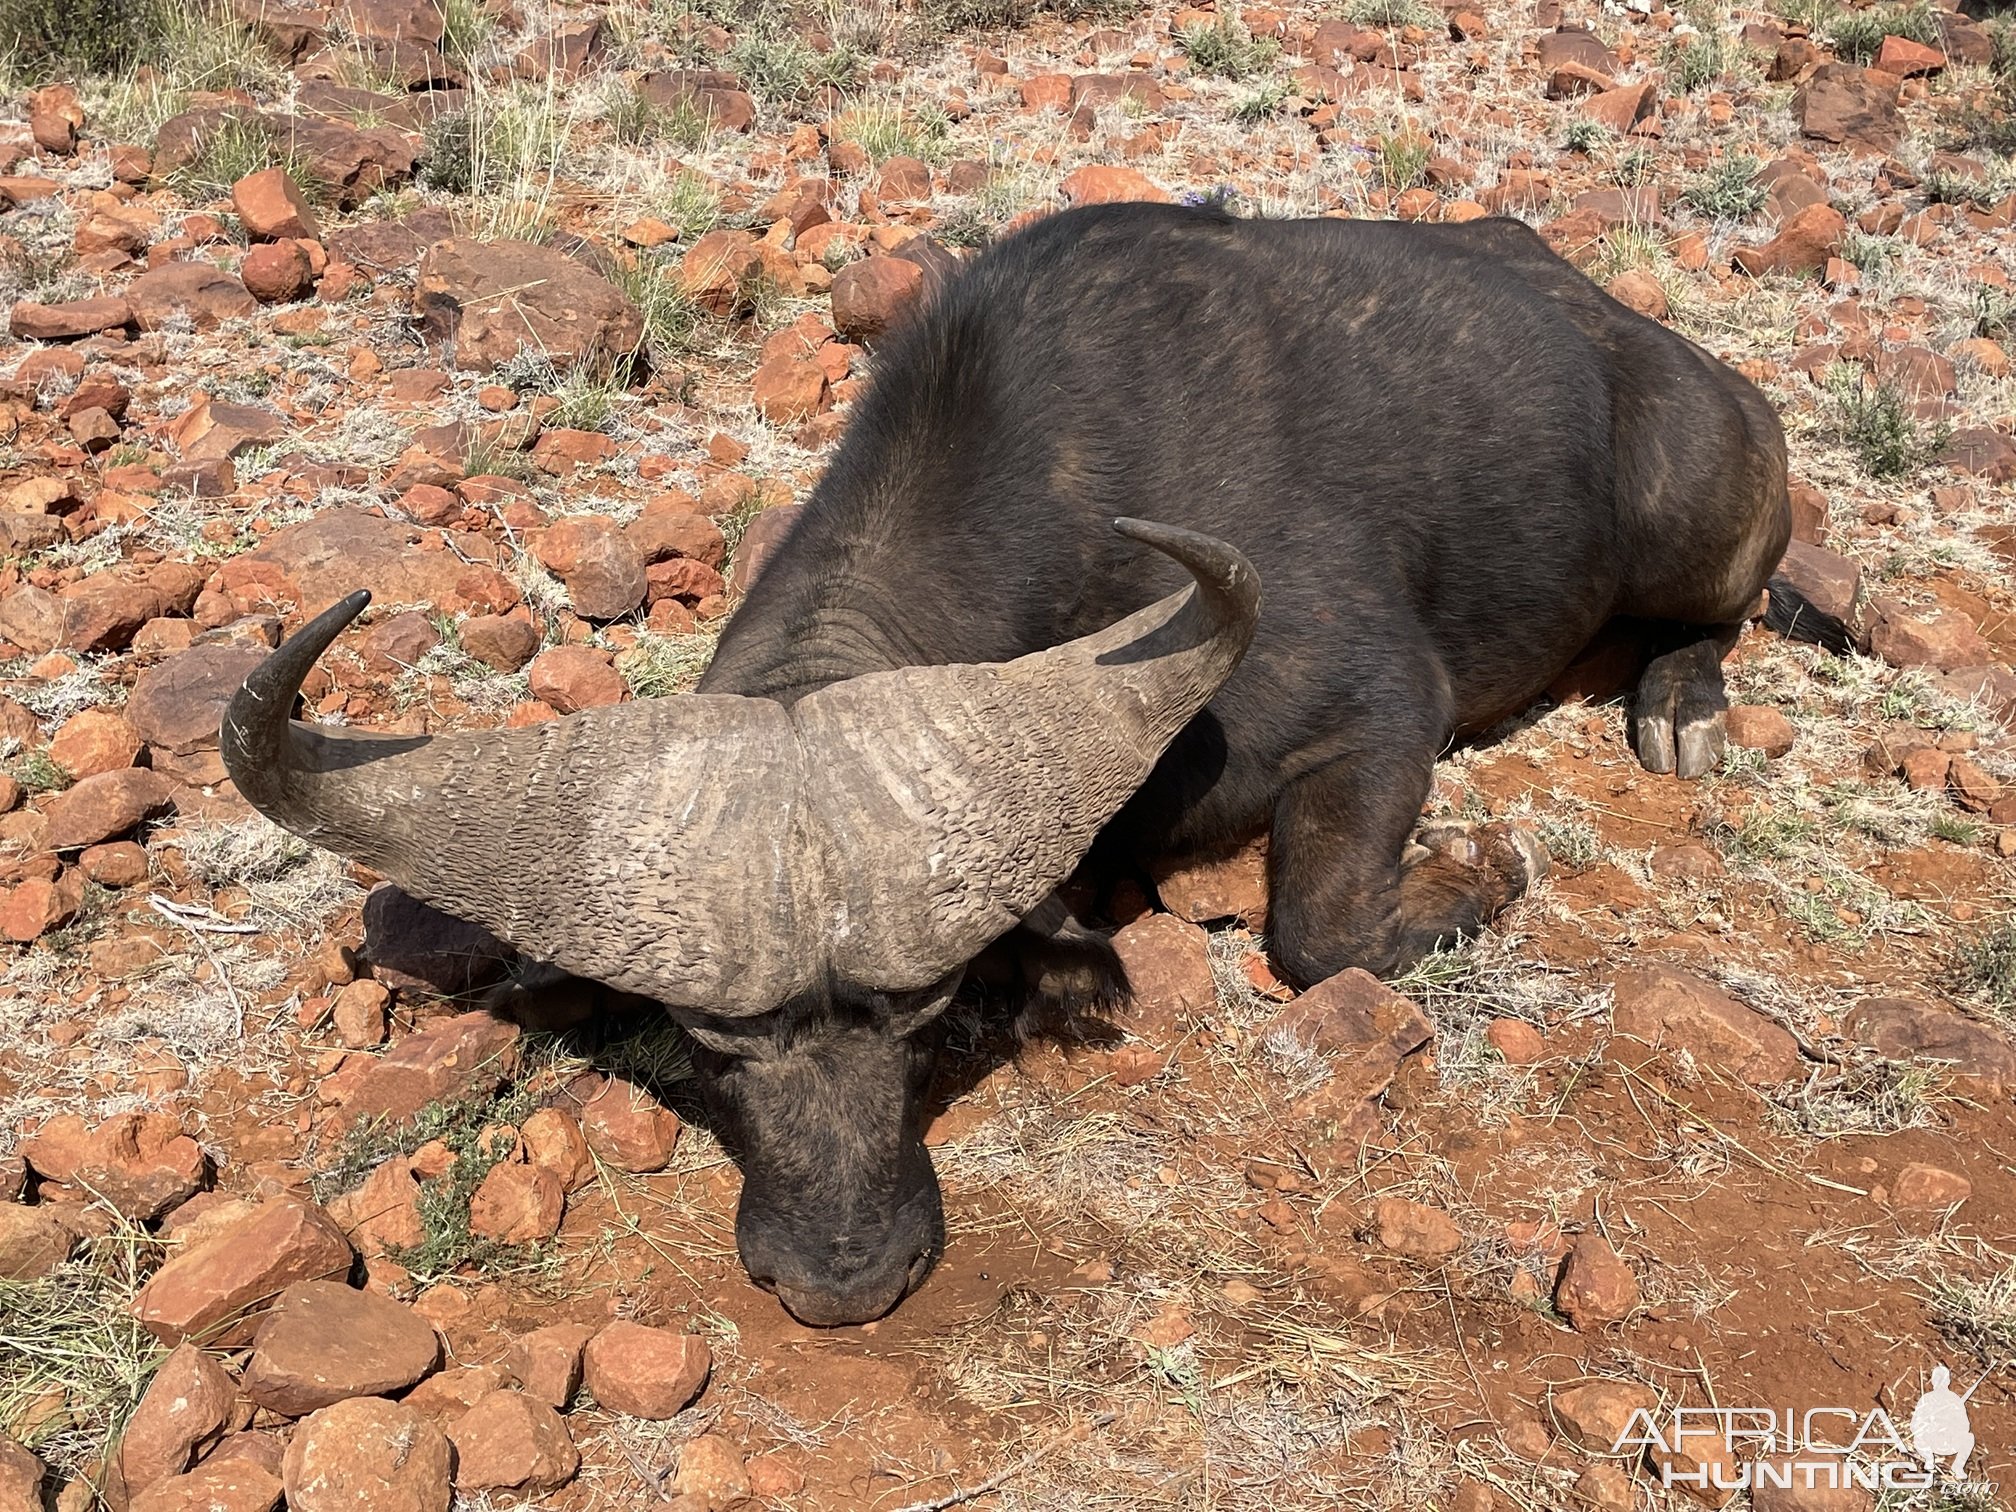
(493, 299)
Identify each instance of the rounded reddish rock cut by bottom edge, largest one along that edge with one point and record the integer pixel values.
(370, 1455)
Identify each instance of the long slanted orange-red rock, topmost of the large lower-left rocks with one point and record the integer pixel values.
(215, 1289)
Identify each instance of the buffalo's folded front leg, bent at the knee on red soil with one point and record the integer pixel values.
(1340, 888)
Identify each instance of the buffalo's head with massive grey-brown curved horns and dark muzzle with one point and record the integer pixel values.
(801, 888)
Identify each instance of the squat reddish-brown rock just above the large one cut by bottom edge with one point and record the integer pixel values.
(326, 1344)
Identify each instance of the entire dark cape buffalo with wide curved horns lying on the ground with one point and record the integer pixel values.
(1448, 457)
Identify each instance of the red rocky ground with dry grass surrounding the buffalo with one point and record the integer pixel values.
(535, 322)
